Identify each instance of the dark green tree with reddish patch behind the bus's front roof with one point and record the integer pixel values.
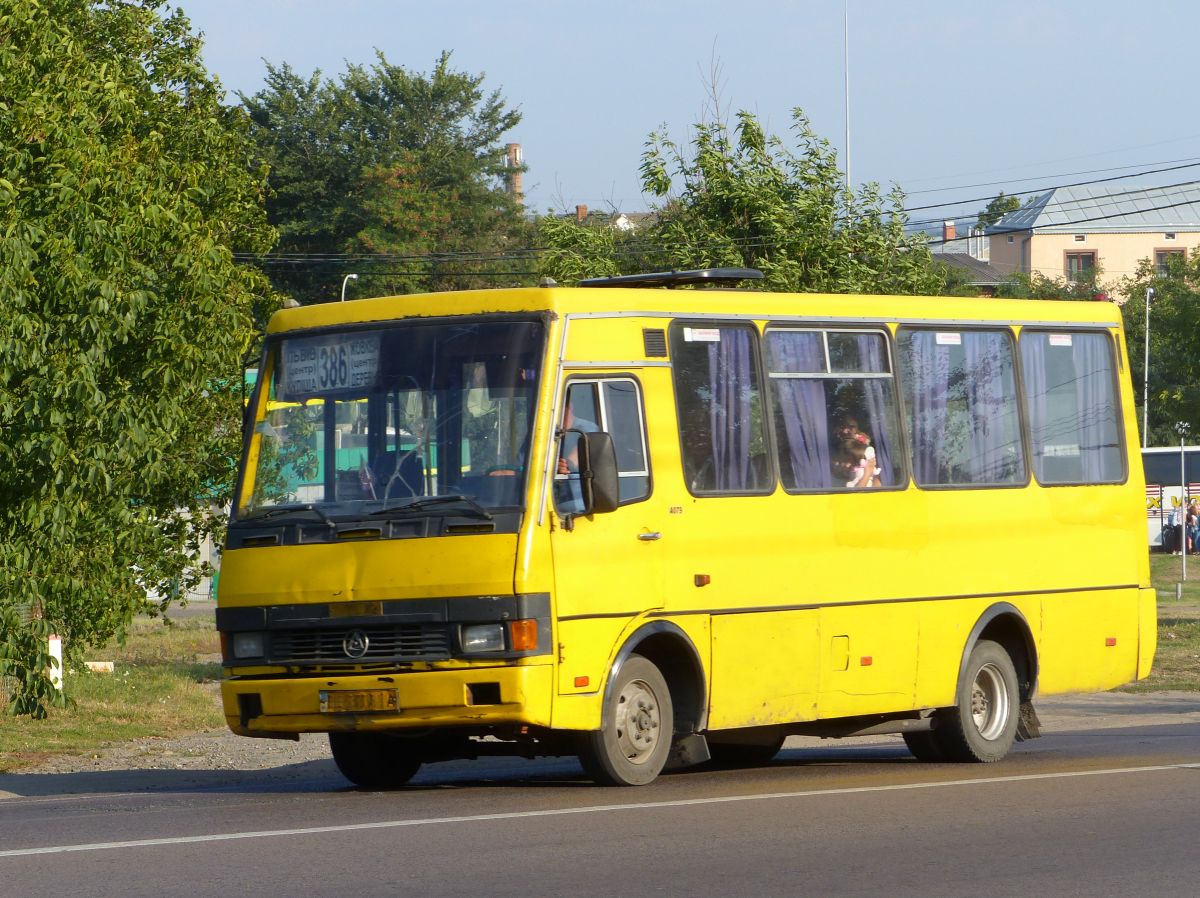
(386, 161)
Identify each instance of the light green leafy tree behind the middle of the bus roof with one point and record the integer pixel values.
(746, 200)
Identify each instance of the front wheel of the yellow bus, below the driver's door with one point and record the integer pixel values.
(634, 741)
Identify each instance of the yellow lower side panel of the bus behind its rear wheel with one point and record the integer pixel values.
(1091, 640)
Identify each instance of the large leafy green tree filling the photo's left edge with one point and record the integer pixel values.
(125, 188)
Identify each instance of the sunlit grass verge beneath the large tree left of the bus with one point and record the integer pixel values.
(165, 685)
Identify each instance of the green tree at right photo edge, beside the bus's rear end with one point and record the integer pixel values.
(1174, 346)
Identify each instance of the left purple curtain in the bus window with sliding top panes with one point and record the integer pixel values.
(802, 408)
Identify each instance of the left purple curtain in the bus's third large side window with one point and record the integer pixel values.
(928, 381)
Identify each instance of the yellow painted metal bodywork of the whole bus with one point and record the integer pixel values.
(797, 607)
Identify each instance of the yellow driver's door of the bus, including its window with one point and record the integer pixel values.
(608, 567)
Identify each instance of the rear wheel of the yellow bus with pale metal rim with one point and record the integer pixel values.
(982, 727)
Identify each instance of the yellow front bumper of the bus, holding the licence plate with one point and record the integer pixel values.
(477, 697)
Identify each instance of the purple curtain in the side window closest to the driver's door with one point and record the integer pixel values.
(730, 374)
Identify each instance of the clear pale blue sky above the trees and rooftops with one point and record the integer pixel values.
(951, 101)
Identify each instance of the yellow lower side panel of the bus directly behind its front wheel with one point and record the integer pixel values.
(765, 669)
